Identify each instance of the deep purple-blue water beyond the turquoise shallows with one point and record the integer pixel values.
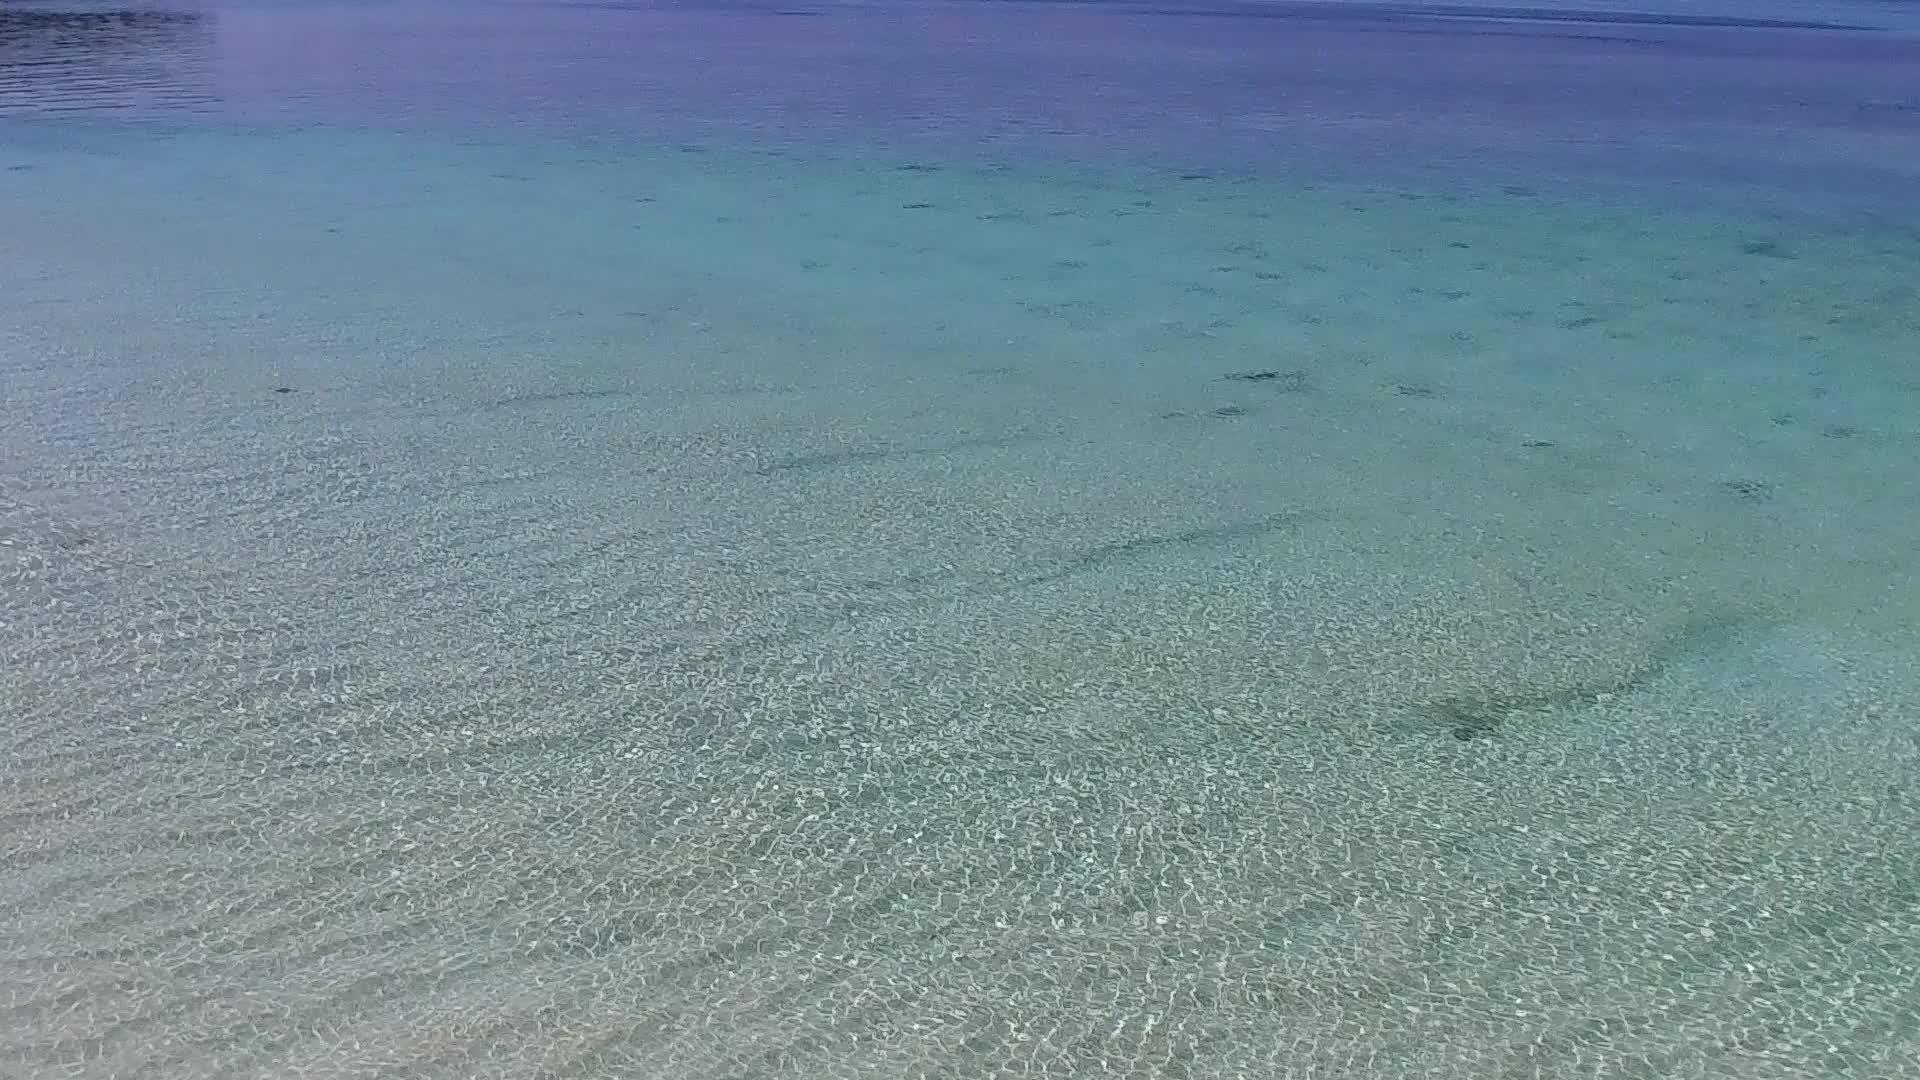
(1796, 107)
